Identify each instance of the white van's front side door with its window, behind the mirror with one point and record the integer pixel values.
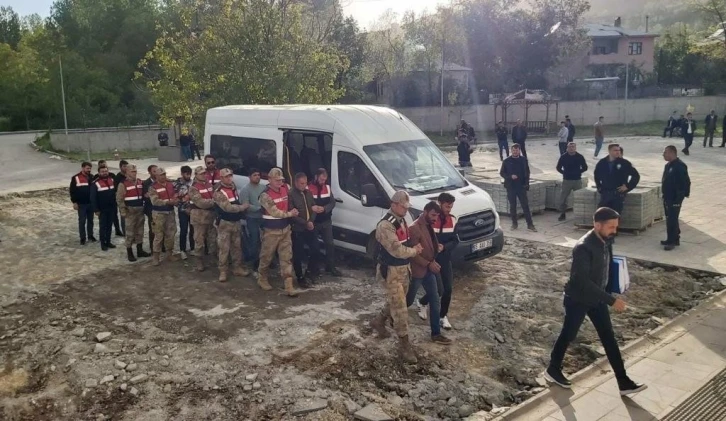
(353, 223)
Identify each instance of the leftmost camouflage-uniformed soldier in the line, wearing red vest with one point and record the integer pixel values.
(130, 201)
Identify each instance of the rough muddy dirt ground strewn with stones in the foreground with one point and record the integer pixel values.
(185, 347)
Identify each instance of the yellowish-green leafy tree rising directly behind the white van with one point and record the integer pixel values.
(251, 52)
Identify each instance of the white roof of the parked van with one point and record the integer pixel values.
(366, 124)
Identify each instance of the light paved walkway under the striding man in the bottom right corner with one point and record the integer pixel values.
(691, 351)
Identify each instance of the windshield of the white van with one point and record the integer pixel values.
(417, 166)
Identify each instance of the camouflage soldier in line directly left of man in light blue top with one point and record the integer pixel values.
(229, 228)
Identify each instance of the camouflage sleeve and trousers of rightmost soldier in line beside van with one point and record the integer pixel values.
(276, 240)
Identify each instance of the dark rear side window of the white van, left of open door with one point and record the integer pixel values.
(240, 154)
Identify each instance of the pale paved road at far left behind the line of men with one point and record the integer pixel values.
(24, 169)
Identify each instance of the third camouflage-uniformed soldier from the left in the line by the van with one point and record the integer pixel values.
(202, 215)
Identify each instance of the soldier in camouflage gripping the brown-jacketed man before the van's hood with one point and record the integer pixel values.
(393, 271)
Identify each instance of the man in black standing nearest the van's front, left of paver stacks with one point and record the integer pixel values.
(515, 171)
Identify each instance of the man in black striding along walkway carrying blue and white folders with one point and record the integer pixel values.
(586, 295)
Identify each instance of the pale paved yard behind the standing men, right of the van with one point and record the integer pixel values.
(703, 217)
